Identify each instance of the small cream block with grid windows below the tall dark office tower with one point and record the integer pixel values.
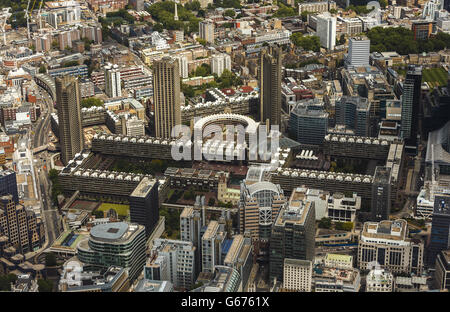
(297, 275)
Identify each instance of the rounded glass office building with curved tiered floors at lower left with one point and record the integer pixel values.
(115, 244)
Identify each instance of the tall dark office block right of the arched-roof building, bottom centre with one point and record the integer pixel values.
(292, 235)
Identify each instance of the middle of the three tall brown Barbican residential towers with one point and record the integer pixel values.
(166, 96)
